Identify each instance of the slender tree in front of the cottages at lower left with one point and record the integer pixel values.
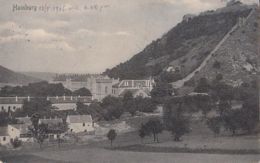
(39, 131)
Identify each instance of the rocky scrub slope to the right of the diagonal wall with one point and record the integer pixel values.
(238, 56)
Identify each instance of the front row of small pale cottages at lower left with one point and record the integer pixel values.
(75, 124)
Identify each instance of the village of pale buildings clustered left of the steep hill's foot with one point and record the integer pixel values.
(80, 124)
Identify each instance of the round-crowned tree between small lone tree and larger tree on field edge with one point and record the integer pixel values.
(154, 127)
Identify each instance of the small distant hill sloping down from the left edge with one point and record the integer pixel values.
(13, 78)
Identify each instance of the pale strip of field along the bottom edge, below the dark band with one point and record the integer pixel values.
(98, 155)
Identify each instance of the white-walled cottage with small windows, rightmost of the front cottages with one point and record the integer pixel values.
(80, 123)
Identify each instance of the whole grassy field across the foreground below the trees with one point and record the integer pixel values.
(198, 146)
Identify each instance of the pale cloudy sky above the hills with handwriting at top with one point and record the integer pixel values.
(85, 36)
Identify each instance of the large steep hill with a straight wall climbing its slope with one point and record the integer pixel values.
(220, 41)
